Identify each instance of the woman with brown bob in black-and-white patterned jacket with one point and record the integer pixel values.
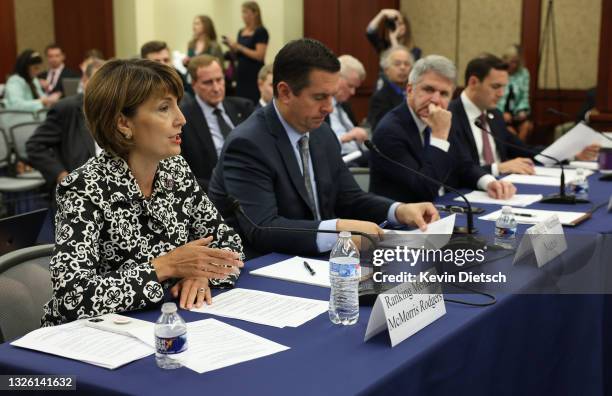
(133, 221)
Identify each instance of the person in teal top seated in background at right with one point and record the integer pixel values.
(515, 102)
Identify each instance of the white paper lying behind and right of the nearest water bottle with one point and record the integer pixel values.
(212, 345)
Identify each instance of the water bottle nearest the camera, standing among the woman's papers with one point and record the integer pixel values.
(170, 337)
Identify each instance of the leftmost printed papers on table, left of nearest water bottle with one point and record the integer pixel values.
(77, 341)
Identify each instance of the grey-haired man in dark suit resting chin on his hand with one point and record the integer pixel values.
(416, 134)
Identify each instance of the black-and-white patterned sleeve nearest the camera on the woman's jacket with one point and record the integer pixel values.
(79, 288)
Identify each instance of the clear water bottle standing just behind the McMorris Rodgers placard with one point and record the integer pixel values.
(344, 274)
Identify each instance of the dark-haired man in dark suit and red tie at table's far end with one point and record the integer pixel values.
(485, 80)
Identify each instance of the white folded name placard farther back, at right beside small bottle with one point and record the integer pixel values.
(545, 239)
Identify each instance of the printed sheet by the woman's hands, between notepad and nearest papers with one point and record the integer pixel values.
(265, 308)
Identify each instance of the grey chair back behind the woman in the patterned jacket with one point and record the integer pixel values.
(25, 286)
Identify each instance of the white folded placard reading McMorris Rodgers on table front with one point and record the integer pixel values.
(406, 309)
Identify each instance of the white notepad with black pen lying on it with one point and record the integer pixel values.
(293, 270)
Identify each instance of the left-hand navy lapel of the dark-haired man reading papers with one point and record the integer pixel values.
(287, 153)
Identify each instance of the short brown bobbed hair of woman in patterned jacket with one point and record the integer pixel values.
(119, 87)
